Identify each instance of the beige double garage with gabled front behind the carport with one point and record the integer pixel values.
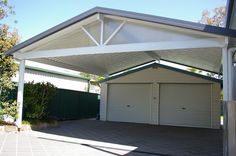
(162, 95)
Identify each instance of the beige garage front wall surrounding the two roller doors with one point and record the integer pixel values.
(159, 75)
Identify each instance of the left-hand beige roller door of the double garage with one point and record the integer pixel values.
(129, 103)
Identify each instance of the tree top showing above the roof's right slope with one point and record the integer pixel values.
(217, 19)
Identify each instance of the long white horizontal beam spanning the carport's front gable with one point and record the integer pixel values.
(121, 48)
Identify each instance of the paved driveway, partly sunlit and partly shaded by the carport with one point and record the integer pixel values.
(97, 138)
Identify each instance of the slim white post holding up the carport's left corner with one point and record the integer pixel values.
(20, 93)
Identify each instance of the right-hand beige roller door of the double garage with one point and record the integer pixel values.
(185, 105)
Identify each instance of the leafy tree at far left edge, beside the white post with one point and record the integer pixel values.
(8, 67)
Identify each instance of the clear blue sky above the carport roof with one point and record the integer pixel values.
(36, 16)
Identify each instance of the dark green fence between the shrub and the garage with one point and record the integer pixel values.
(71, 105)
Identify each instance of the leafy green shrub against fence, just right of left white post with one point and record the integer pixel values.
(36, 99)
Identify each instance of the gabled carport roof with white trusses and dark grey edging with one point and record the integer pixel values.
(103, 41)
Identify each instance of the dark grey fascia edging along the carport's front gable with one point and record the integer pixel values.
(126, 14)
